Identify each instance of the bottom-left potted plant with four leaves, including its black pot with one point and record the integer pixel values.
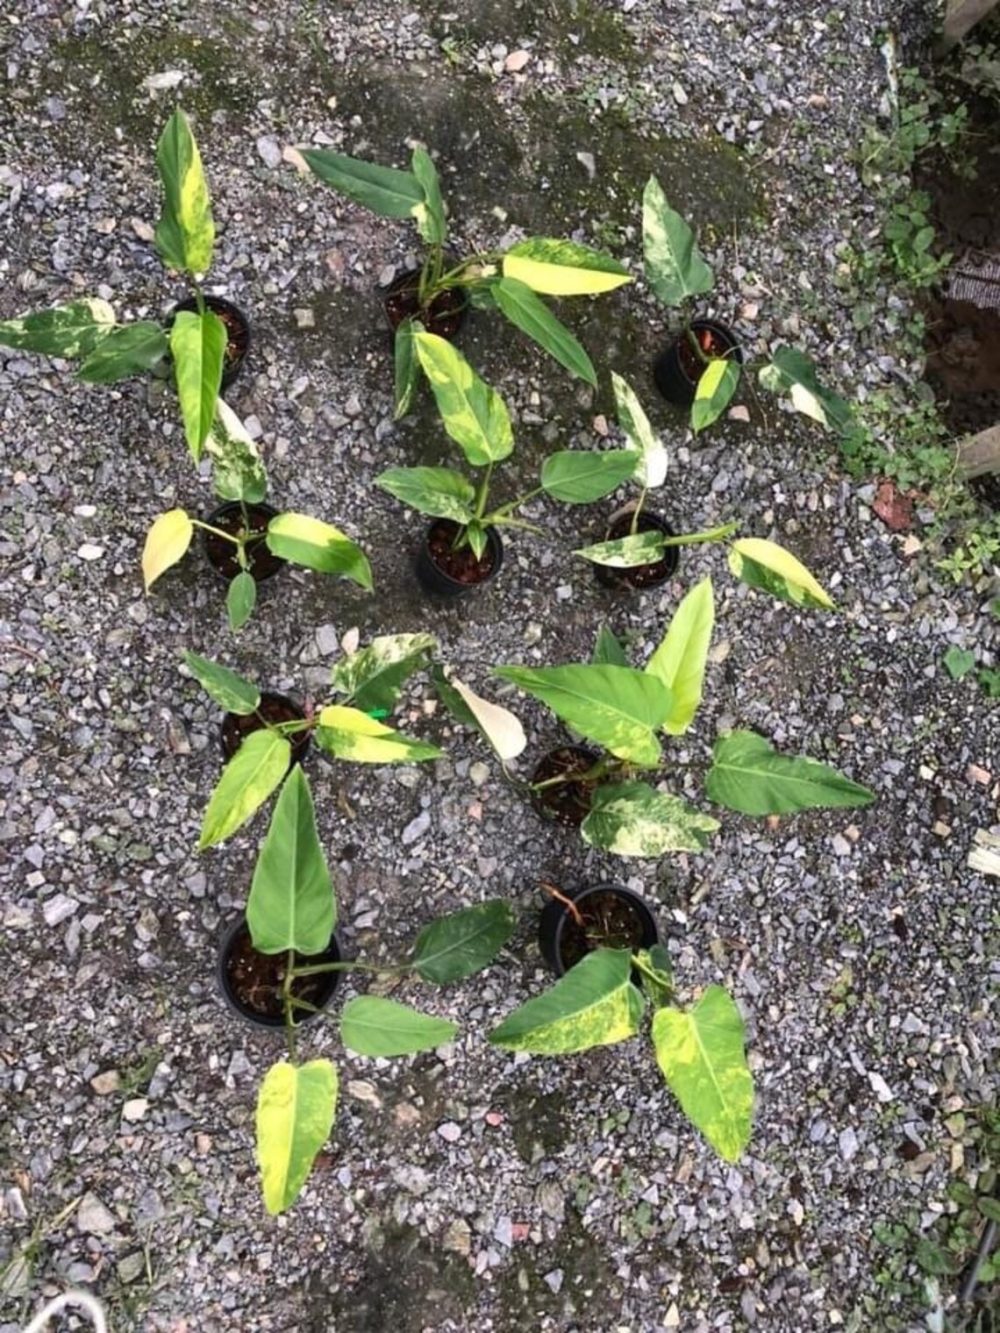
(281, 967)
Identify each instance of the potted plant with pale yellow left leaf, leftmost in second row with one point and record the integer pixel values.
(246, 541)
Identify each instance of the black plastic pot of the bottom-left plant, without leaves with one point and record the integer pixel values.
(251, 982)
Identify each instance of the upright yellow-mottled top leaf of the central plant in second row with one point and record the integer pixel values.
(474, 415)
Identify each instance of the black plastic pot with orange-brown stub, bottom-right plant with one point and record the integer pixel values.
(613, 919)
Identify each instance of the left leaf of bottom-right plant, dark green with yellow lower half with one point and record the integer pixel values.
(595, 1004)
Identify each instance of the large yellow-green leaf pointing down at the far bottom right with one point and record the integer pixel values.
(702, 1056)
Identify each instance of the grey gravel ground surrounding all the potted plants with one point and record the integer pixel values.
(466, 1190)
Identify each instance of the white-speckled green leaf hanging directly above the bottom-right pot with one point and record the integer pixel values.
(633, 819)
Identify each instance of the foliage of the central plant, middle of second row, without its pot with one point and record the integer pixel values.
(477, 418)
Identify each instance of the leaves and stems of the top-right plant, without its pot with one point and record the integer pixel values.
(677, 271)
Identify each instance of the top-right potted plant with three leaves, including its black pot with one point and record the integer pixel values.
(701, 367)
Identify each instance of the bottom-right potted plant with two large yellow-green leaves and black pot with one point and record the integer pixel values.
(601, 999)
